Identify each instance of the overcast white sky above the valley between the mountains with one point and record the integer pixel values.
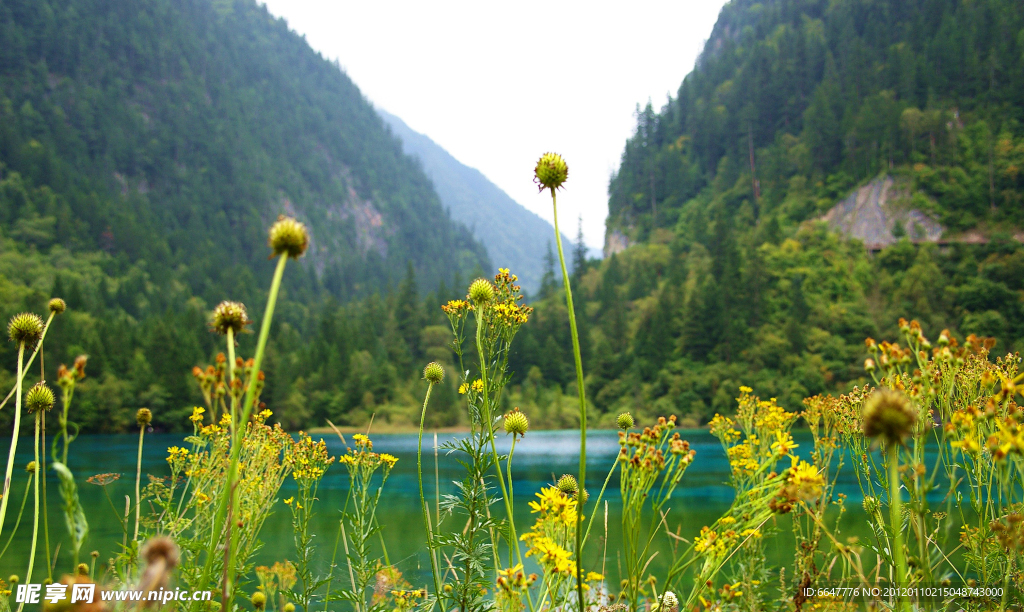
(499, 84)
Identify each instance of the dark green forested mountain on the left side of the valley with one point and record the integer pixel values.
(146, 147)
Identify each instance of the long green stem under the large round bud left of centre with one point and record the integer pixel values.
(230, 495)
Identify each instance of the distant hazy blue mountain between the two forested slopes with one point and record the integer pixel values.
(516, 238)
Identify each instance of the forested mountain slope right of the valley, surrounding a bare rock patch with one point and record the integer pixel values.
(793, 105)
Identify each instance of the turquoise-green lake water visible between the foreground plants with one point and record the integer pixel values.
(540, 459)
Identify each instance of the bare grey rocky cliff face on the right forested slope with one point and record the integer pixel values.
(881, 213)
